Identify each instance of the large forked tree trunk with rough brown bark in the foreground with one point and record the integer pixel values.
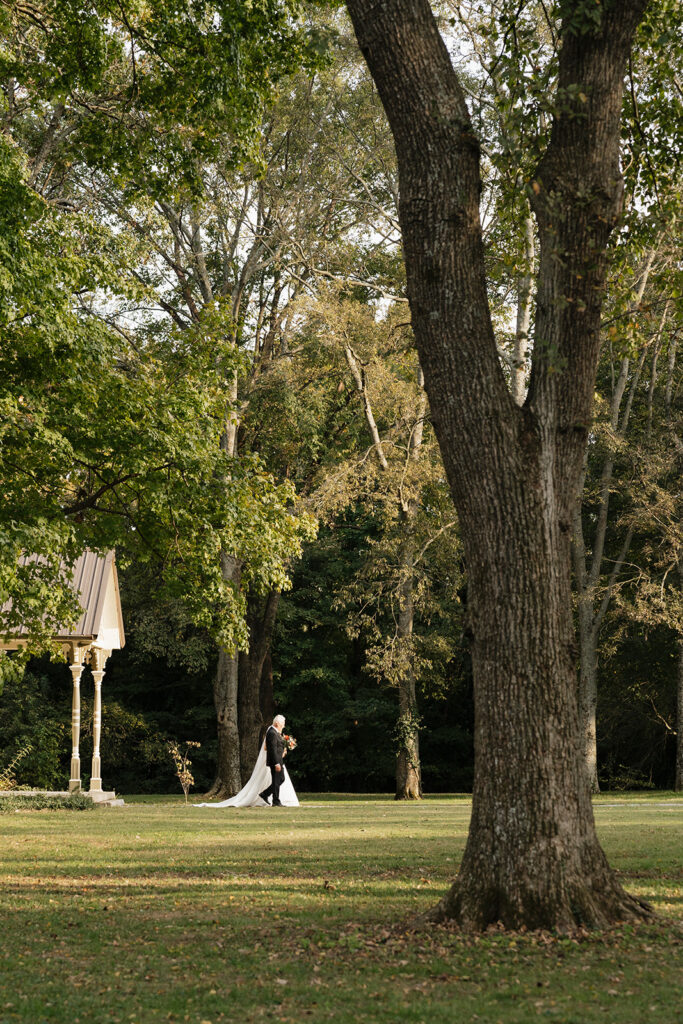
(533, 859)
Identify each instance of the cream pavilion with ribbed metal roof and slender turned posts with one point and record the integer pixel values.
(98, 633)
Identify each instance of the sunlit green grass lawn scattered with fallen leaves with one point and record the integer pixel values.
(157, 912)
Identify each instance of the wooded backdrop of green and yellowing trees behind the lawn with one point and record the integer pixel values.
(236, 325)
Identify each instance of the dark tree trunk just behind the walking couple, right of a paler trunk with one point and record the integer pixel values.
(262, 621)
